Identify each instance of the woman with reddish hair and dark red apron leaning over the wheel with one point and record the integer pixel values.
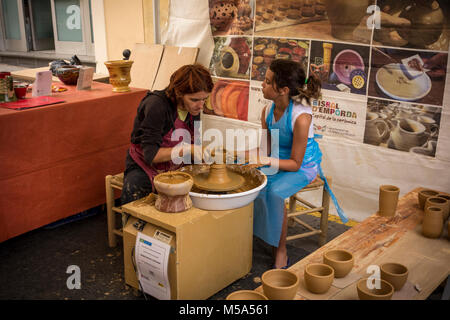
(158, 115)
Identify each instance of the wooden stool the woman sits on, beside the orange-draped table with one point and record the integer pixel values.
(113, 182)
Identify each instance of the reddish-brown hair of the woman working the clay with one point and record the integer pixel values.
(191, 78)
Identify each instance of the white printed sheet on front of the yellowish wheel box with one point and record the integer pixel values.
(152, 257)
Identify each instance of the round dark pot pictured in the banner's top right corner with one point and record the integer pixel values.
(427, 22)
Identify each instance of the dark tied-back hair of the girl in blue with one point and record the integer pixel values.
(289, 73)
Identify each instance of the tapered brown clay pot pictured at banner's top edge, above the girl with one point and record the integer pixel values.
(345, 16)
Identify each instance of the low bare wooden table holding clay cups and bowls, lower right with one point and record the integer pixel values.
(379, 239)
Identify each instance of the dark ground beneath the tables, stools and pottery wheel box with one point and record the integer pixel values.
(33, 265)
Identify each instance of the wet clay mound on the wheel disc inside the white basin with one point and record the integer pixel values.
(218, 179)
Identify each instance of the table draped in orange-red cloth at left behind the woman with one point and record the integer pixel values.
(54, 159)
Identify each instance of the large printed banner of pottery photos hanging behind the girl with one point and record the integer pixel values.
(373, 58)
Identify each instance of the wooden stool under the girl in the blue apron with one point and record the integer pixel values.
(292, 214)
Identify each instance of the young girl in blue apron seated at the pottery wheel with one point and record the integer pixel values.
(296, 152)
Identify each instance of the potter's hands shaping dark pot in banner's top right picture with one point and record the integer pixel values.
(388, 34)
